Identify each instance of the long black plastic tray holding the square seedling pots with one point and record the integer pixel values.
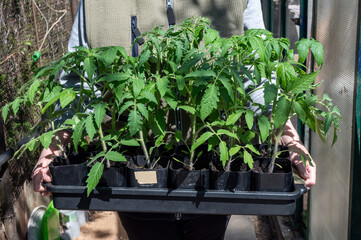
(163, 200)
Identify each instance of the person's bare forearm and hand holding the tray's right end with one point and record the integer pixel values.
(291, 139)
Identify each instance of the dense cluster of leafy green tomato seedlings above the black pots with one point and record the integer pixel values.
(187, 68)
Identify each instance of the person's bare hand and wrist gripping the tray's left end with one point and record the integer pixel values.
(41, 172)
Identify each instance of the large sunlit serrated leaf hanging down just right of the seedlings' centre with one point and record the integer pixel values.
(209, 100)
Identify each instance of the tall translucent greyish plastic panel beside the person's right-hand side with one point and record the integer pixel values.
(336, 28)
